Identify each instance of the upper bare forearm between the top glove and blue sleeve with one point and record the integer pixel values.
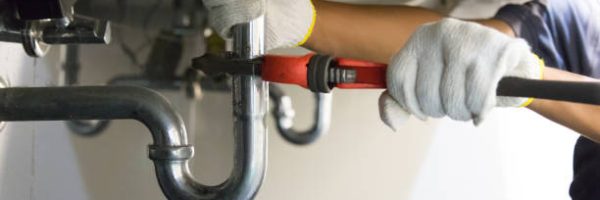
(373, 33)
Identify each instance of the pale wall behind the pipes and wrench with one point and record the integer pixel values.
(515, 154)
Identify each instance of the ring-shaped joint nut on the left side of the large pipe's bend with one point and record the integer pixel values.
(170, 153)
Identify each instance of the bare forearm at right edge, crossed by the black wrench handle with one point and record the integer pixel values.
(582, 118)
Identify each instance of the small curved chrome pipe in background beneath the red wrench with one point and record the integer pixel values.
(284, 117)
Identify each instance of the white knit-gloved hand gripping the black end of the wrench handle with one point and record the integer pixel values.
(452, 68)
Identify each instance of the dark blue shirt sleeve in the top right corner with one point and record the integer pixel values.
(565, 33)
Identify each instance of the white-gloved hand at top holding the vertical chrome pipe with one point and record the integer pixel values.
(288, 22)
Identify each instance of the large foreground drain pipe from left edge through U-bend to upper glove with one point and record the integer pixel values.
(171, 150)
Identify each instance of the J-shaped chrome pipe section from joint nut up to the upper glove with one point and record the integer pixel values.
(250, 103)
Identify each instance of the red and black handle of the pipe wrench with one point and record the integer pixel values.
(293, 70)
